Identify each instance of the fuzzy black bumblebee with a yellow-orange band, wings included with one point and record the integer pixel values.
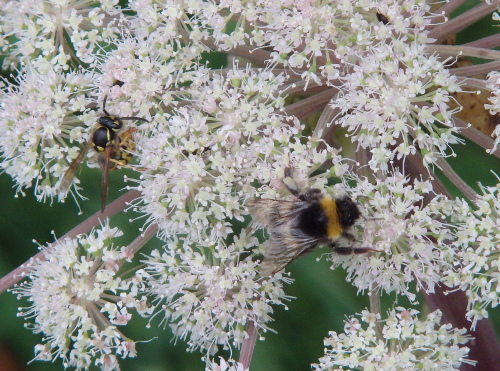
(297, 226)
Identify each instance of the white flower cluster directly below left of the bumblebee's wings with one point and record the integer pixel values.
(209, 295)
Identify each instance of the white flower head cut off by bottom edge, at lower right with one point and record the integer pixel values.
(401, 341)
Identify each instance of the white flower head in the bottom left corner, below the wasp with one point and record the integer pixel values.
(79, 301)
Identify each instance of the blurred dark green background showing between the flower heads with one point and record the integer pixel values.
(323, 297)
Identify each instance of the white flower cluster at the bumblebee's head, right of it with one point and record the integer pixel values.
(414, 239)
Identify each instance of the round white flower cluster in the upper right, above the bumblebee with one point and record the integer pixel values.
(395, 103)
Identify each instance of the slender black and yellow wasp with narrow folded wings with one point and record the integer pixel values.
(113, 145)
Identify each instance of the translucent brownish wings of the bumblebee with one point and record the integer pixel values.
(286, 242)
